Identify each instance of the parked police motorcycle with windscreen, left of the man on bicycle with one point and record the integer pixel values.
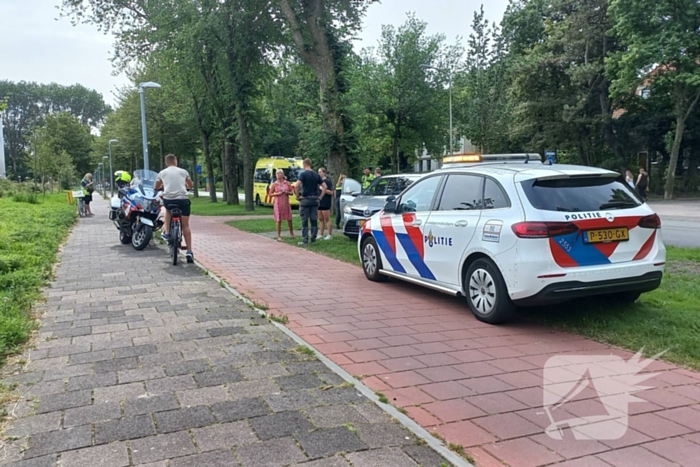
(136, 211)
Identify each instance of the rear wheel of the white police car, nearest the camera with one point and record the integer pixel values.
(486, 292)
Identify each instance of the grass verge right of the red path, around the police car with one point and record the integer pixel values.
(665, 319)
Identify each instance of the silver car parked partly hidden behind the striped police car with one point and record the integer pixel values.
(372, 200)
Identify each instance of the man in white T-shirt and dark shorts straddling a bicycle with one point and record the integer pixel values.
(175, 182)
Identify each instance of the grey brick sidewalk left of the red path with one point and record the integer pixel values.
(143, 363)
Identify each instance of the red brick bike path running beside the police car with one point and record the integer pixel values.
(477, 385)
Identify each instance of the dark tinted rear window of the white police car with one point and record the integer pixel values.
(581, 194)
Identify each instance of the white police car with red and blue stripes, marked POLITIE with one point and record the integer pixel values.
(507, 231)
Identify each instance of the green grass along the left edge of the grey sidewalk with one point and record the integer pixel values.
(29, 238)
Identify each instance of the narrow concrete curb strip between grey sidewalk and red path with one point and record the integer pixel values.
(404, 420)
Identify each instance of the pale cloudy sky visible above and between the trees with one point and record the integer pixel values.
(38, 45)
